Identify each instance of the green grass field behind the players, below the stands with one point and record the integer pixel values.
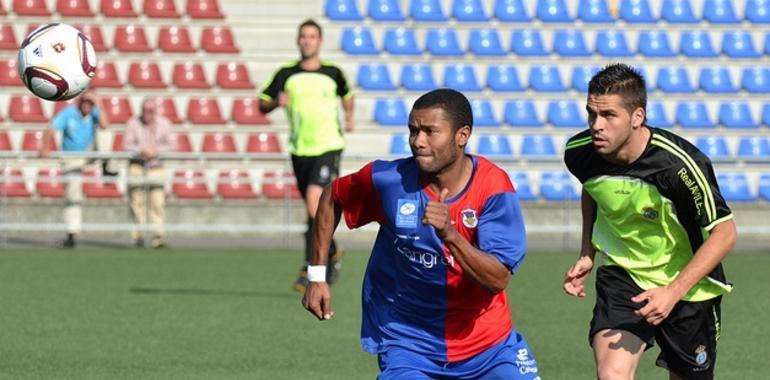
(187, 314)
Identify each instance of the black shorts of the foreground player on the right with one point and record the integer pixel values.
(687, 338)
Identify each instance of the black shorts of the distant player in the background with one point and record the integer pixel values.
(316, 170)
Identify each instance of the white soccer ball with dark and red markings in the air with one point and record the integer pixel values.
(56, 62)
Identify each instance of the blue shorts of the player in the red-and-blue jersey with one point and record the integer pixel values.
(509, 359)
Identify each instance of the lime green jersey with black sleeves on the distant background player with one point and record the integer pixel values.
(313, 110)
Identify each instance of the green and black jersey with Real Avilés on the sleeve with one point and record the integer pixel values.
(653, 214)
